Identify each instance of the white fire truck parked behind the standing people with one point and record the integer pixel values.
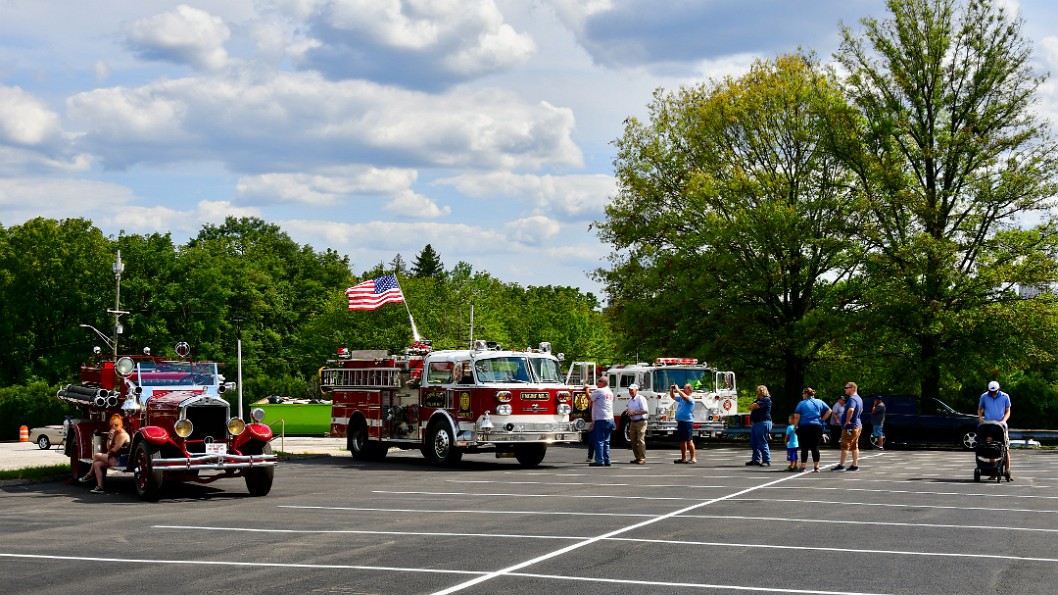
(715, 395)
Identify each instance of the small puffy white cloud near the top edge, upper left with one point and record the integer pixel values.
(184, 35)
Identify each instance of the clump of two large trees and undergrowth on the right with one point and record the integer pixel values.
(877, 220)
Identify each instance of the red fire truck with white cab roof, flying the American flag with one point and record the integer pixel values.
(448, 403)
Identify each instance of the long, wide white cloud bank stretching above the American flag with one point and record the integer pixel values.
(240, 122)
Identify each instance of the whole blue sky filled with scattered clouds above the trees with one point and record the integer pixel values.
(483, 128)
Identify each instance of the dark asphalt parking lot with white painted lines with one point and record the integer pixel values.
(910, 521)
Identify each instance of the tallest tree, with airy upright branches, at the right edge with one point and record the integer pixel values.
(952, 157)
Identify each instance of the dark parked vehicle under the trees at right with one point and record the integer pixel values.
(913, 420)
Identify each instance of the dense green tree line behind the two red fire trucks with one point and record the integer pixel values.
(244, 280)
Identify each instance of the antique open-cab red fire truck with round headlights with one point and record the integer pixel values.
(179, 426)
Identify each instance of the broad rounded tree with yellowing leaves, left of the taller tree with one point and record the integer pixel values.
(733, 225)
